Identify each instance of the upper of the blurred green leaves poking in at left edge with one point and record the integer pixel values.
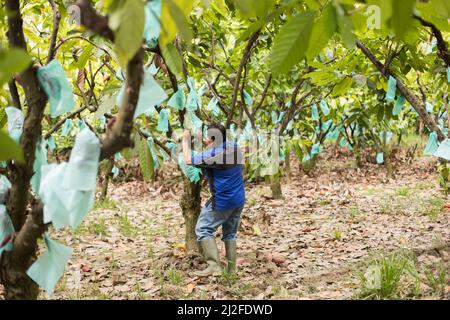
(12, 61)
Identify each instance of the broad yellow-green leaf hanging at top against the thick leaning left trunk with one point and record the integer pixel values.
(127, 20)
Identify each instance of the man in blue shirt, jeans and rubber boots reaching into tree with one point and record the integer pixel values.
(221, 163)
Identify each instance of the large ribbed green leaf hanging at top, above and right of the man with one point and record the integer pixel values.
(291, 43)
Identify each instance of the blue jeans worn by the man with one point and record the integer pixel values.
(209, 220)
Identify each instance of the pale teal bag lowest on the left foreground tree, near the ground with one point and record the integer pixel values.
(49, 267)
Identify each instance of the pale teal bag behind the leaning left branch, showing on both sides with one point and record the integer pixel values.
(151, 94)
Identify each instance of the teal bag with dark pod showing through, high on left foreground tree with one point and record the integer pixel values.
(53, 81)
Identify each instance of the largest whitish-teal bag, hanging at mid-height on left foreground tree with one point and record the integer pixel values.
(68, 189)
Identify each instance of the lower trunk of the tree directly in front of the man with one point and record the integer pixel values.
(190, 206)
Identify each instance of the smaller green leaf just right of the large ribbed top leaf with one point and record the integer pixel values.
(323, 30)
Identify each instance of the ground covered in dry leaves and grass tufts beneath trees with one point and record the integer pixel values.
(342, 233)
